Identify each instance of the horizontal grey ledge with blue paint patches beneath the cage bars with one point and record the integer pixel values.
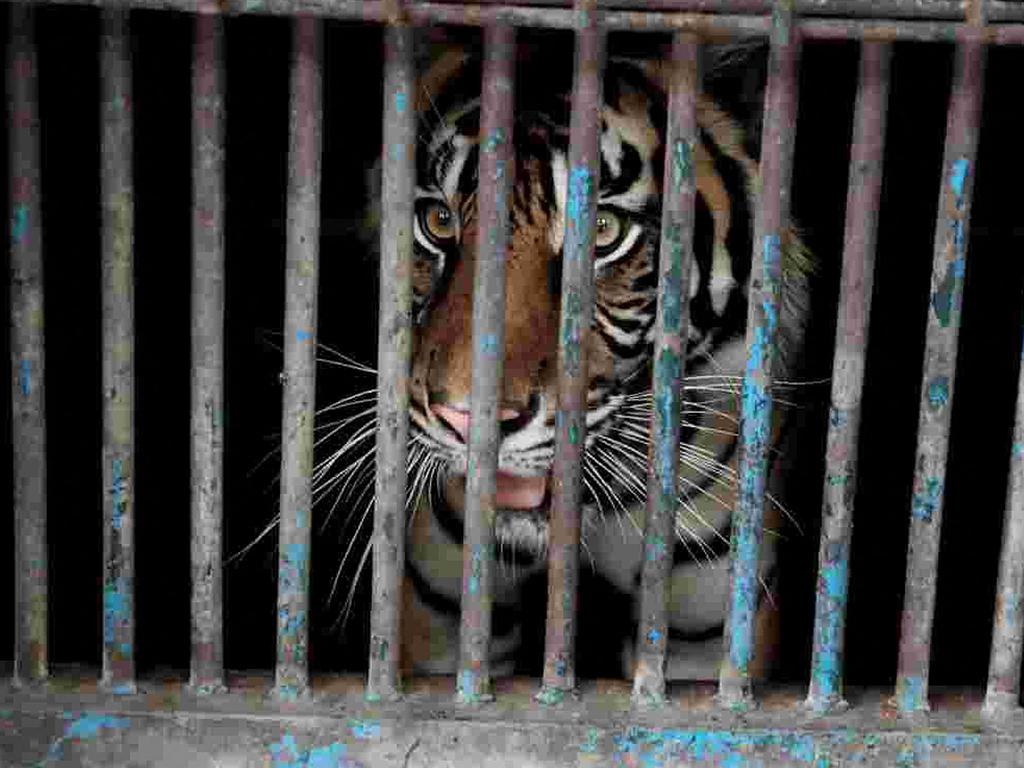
(167, 727)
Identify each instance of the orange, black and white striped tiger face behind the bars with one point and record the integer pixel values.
(625, 265)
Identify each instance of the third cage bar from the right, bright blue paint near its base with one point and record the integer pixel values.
(826, 694)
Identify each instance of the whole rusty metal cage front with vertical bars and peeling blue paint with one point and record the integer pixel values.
(216, 720)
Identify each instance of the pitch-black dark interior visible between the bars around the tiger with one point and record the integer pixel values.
(258, 124)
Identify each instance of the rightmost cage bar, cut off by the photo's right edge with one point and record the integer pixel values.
(1003, 697)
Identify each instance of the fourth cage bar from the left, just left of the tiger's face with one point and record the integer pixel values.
(303, 261)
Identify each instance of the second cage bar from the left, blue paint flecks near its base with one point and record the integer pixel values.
(119, 375)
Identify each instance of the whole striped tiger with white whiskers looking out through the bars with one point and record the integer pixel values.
(619, 359)
